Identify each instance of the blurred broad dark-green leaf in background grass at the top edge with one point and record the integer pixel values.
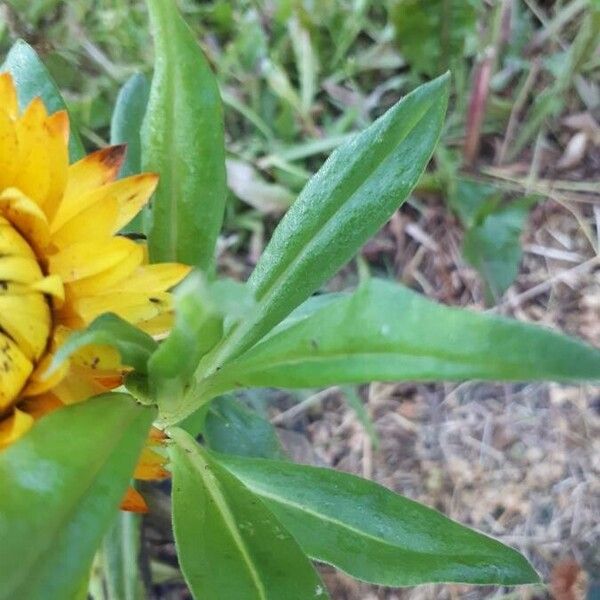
(432, 34)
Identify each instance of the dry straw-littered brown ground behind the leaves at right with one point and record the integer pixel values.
(518, 462)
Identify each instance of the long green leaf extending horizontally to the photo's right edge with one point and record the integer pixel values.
(386, 332)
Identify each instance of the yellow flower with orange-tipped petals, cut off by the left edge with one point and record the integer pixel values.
(62, 263)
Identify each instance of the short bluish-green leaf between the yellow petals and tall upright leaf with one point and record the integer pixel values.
(127, 119)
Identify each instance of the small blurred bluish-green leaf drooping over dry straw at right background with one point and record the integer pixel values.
(493, 246)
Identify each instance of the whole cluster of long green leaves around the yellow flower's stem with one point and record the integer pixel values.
(247, 523)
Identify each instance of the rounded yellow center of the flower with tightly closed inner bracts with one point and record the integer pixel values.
(25, 314)
